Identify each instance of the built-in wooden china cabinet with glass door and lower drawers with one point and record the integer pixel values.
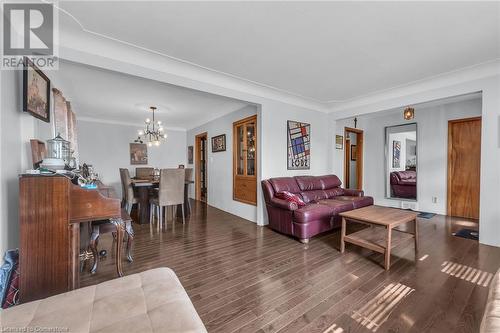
(245, 160)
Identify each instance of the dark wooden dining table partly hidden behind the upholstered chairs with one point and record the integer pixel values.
(143, 188)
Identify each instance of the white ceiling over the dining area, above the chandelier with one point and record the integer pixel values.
(104, 95)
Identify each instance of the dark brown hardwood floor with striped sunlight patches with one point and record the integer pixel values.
(244, 278)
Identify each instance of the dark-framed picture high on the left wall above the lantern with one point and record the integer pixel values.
(36, 91)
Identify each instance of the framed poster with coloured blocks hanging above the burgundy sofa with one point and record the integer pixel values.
(299, 145)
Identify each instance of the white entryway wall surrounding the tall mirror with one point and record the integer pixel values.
(432, 150)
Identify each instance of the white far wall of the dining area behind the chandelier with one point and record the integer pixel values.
(106, 147)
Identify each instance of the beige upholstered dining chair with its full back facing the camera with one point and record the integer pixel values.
(170, 193)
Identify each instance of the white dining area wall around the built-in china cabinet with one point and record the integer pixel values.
(220, 165)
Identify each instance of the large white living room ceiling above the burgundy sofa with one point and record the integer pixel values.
(326, 51)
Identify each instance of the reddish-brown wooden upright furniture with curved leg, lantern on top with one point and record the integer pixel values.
(51, 210)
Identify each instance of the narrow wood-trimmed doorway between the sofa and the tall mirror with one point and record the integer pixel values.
(353, 160)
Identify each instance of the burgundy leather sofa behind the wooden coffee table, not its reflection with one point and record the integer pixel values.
(324, 199)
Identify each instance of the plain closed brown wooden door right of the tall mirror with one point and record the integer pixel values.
(464, 162)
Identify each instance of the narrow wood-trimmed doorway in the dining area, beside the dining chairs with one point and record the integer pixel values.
(201, 167)
